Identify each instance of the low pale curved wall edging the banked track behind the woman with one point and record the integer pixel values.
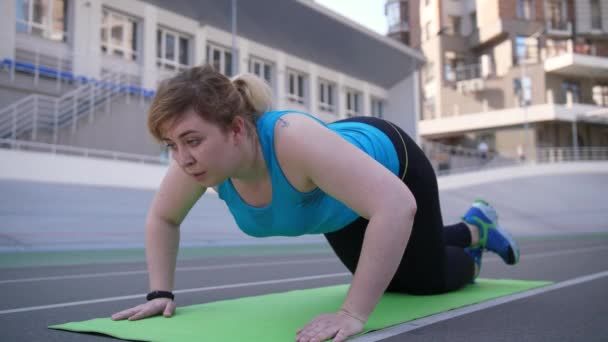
(44, 167)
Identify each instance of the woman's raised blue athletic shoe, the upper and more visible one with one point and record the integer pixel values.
(491, 236)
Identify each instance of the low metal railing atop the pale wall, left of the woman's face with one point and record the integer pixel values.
(31, 146)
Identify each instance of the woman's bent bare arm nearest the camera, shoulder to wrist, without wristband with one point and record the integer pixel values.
(363, 184)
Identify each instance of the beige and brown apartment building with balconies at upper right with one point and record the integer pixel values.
(513, 75)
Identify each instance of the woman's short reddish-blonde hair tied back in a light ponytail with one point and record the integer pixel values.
(212, 96)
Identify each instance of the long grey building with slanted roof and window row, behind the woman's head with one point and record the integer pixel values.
(82, 72)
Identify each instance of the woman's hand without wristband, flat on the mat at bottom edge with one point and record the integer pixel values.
(337, 325)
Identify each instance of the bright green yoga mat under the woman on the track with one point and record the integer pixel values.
(276, 317)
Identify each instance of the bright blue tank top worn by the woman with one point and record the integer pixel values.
(291, 212)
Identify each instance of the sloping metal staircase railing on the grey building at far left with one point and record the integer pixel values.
(35, 113)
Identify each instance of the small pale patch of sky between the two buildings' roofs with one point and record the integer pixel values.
(368, 13)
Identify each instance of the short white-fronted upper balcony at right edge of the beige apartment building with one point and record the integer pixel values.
(575, 60)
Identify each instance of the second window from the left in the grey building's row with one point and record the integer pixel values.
(119, 35)
